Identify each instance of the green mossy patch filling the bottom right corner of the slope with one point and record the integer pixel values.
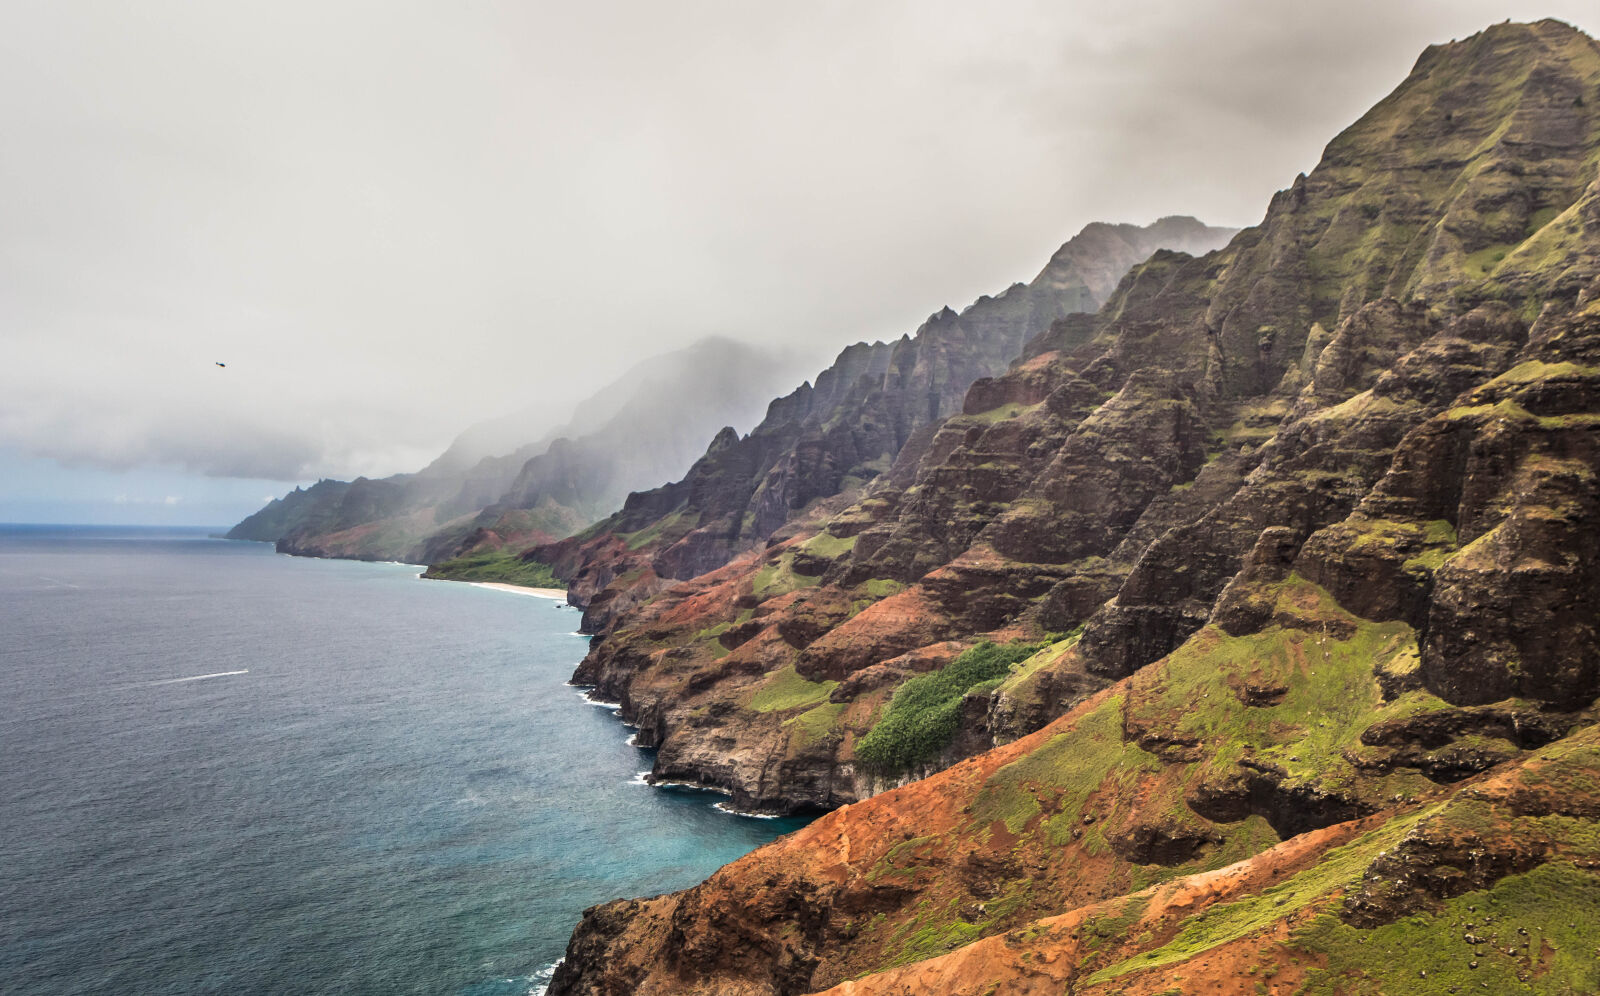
(1545, 939)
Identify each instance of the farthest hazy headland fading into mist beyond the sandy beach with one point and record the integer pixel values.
(646, 428)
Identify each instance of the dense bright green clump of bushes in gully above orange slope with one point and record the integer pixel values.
(926, 712)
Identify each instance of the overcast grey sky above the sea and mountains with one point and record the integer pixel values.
(393, 220)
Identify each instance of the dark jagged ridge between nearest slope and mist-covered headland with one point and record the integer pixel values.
(833, 438)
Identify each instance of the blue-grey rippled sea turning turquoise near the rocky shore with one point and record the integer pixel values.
(223, 771)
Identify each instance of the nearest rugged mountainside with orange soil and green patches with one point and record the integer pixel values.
(1238, 638)
